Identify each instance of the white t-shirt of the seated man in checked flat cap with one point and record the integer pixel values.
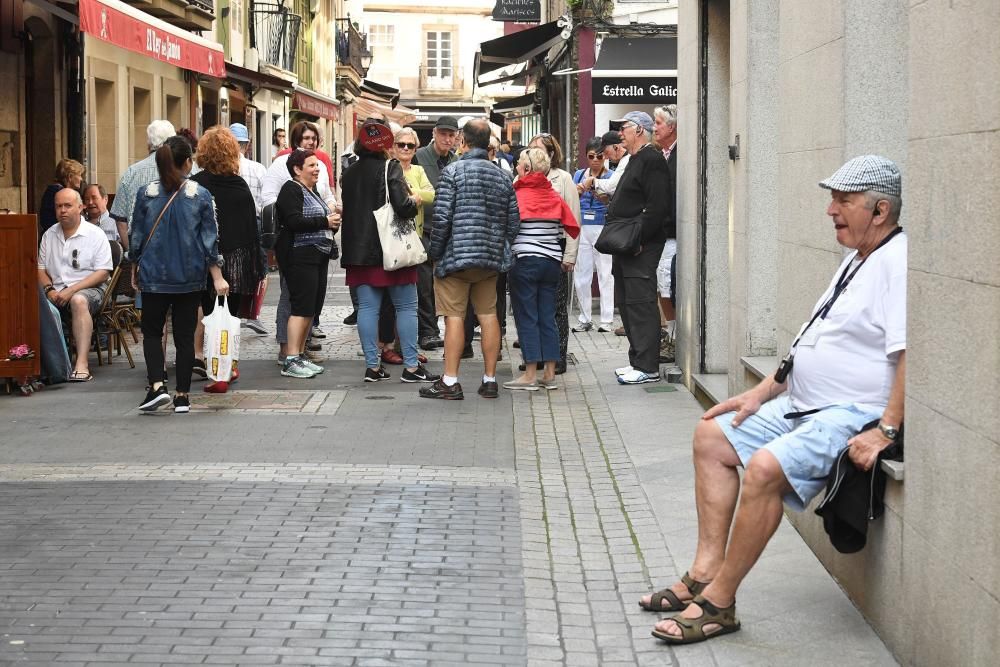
(853, 352)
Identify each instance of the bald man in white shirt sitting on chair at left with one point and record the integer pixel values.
(74, 262)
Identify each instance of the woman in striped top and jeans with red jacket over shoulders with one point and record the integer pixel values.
(534, 278)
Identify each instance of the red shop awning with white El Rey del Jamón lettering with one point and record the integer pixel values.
(124, 26)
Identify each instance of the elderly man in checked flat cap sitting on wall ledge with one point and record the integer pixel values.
(787, 432)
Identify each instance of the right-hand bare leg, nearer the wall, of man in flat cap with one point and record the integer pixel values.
(757, 518)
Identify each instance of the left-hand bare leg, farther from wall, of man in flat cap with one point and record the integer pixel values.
(716, 488)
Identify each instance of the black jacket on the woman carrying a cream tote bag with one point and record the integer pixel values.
(363, 190)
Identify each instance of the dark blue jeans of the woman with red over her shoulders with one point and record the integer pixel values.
(533, 283)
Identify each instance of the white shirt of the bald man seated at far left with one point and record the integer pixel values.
(88, 247)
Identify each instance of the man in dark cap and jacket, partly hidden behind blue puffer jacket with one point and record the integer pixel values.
(433, 158)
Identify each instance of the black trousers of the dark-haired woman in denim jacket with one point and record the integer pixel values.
(184, 316)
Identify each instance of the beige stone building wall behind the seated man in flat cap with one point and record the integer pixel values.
(807, 85)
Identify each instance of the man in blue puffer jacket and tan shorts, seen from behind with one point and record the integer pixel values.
(475, 221)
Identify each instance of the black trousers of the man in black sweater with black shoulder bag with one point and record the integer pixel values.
(635, 293)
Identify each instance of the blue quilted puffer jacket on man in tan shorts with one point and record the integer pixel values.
(475, 216)
